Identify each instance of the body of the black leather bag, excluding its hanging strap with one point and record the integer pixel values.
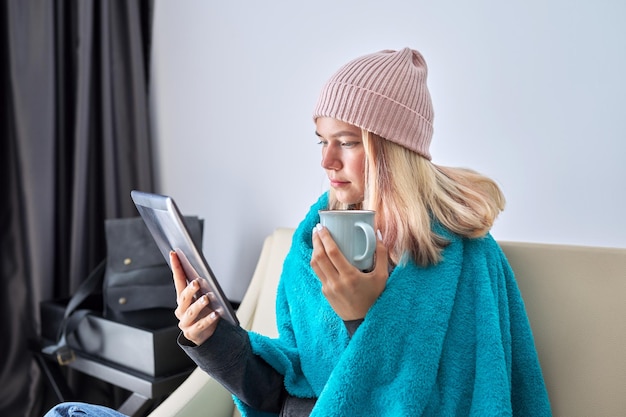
(138, 287)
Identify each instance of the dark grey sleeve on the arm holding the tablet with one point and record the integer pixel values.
(227, 356)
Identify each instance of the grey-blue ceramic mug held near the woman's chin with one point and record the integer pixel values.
(353, 231)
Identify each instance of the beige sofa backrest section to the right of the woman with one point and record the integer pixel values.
(576, 302)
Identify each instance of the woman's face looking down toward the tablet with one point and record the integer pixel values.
(343, 158)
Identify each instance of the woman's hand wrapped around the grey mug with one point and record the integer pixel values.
(349, 291)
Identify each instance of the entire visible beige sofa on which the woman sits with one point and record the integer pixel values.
(576, 302)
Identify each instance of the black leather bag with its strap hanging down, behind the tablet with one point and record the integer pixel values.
(134, 279)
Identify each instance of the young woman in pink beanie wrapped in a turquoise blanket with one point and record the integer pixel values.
(437, 328)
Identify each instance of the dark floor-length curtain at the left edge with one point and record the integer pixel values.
(75, 141)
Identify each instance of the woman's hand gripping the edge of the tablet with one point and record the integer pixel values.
(196, 319)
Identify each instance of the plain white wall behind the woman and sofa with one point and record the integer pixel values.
(531, 94)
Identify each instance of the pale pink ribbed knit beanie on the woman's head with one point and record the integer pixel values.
(384, 93)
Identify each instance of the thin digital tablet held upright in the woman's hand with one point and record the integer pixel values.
(167, 226)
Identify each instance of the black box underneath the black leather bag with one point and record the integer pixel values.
(153, 352)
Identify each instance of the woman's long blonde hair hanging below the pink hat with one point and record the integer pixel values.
(408, 193)
